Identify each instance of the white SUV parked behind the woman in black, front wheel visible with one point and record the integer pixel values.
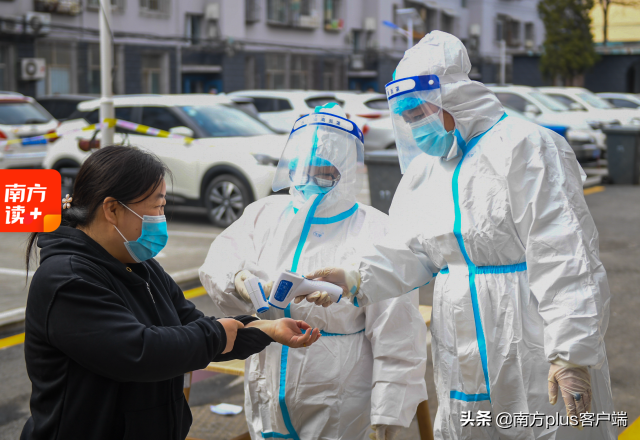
(229, 165)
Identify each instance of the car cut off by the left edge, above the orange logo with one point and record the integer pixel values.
(22, 117)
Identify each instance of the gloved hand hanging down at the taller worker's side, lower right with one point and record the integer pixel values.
(575, 384)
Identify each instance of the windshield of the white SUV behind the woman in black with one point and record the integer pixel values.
(224, 121)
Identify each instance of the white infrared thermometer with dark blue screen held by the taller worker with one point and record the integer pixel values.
(290, 285)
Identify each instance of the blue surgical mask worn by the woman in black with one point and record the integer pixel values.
(152, 240)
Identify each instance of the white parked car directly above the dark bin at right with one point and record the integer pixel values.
(582, 100)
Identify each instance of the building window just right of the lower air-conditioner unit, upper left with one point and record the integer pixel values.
(58, 57)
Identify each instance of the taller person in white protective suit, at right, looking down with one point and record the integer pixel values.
(494, 207)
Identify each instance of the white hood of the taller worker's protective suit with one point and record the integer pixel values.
(474, 108)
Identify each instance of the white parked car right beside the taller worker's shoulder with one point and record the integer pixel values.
(583, 133)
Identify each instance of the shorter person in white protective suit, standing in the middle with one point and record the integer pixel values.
(368, 367)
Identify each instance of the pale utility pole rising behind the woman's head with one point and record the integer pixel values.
(106, 81)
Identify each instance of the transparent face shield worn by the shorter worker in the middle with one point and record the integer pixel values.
(324, 153)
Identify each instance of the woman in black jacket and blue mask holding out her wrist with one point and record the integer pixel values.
(109, 334)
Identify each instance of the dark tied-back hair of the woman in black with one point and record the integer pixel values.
(124, 173)
